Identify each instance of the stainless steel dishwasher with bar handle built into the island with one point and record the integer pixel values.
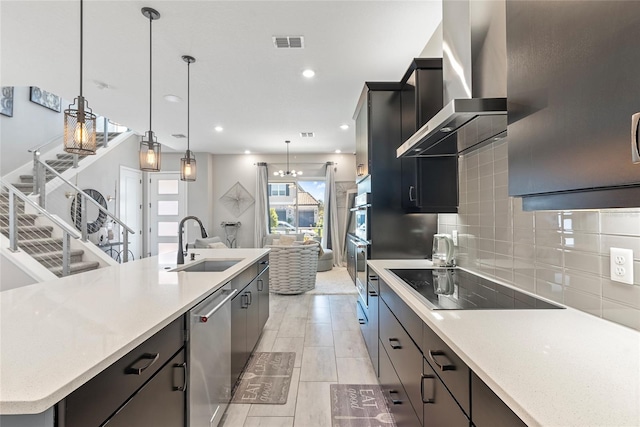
(210, 358)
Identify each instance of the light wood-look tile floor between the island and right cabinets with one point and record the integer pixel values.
(324, 332)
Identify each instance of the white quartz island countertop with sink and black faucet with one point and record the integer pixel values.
(56, 335)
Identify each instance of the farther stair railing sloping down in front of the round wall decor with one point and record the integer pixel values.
(83, 200)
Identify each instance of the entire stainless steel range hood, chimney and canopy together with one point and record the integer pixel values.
(474, 71)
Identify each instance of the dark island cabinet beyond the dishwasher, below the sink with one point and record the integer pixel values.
(249, 313)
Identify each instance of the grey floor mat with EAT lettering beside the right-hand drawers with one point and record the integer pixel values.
(359, 405)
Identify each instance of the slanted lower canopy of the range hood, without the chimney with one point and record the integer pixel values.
(460, 125)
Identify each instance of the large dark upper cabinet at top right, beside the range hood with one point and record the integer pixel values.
(572, 88)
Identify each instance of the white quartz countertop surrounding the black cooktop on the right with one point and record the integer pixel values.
(551, 367)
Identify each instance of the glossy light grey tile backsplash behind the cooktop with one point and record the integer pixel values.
(561, 255)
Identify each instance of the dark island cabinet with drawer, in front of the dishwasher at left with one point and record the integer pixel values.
(131, 383)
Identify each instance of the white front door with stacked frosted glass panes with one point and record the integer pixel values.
(167, 206)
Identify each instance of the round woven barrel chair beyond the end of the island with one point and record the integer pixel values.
(292, 269)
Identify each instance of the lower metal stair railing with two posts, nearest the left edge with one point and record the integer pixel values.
(67, 232)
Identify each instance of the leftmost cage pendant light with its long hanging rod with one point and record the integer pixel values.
(79, 120)
